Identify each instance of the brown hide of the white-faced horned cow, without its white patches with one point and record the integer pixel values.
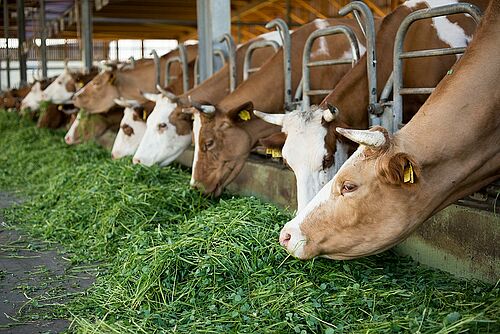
(351, 94)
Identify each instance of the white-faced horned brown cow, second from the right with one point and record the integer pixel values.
(311, 146)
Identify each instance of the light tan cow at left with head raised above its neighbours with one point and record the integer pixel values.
(98, 95)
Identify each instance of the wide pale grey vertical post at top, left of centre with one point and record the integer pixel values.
(214, 20)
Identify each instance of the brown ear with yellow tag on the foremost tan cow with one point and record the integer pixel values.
(398, 168)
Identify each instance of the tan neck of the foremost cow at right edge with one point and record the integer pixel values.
(455, 136)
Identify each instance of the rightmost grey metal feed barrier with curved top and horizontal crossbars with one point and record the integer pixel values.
(395, 122)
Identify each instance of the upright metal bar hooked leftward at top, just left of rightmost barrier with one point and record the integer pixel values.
(371, 57)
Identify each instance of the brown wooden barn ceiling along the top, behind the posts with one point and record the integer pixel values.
(170, 19)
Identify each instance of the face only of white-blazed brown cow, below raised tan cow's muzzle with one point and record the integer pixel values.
(86, 127)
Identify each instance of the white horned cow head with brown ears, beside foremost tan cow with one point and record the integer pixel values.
(304, 149)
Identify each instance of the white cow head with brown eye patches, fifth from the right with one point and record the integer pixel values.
(132, 129)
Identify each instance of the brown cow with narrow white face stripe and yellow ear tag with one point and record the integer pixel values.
(225, 136)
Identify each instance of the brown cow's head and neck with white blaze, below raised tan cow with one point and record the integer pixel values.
(99, 127)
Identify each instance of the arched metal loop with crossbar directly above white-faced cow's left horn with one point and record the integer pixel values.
(306, 58)
